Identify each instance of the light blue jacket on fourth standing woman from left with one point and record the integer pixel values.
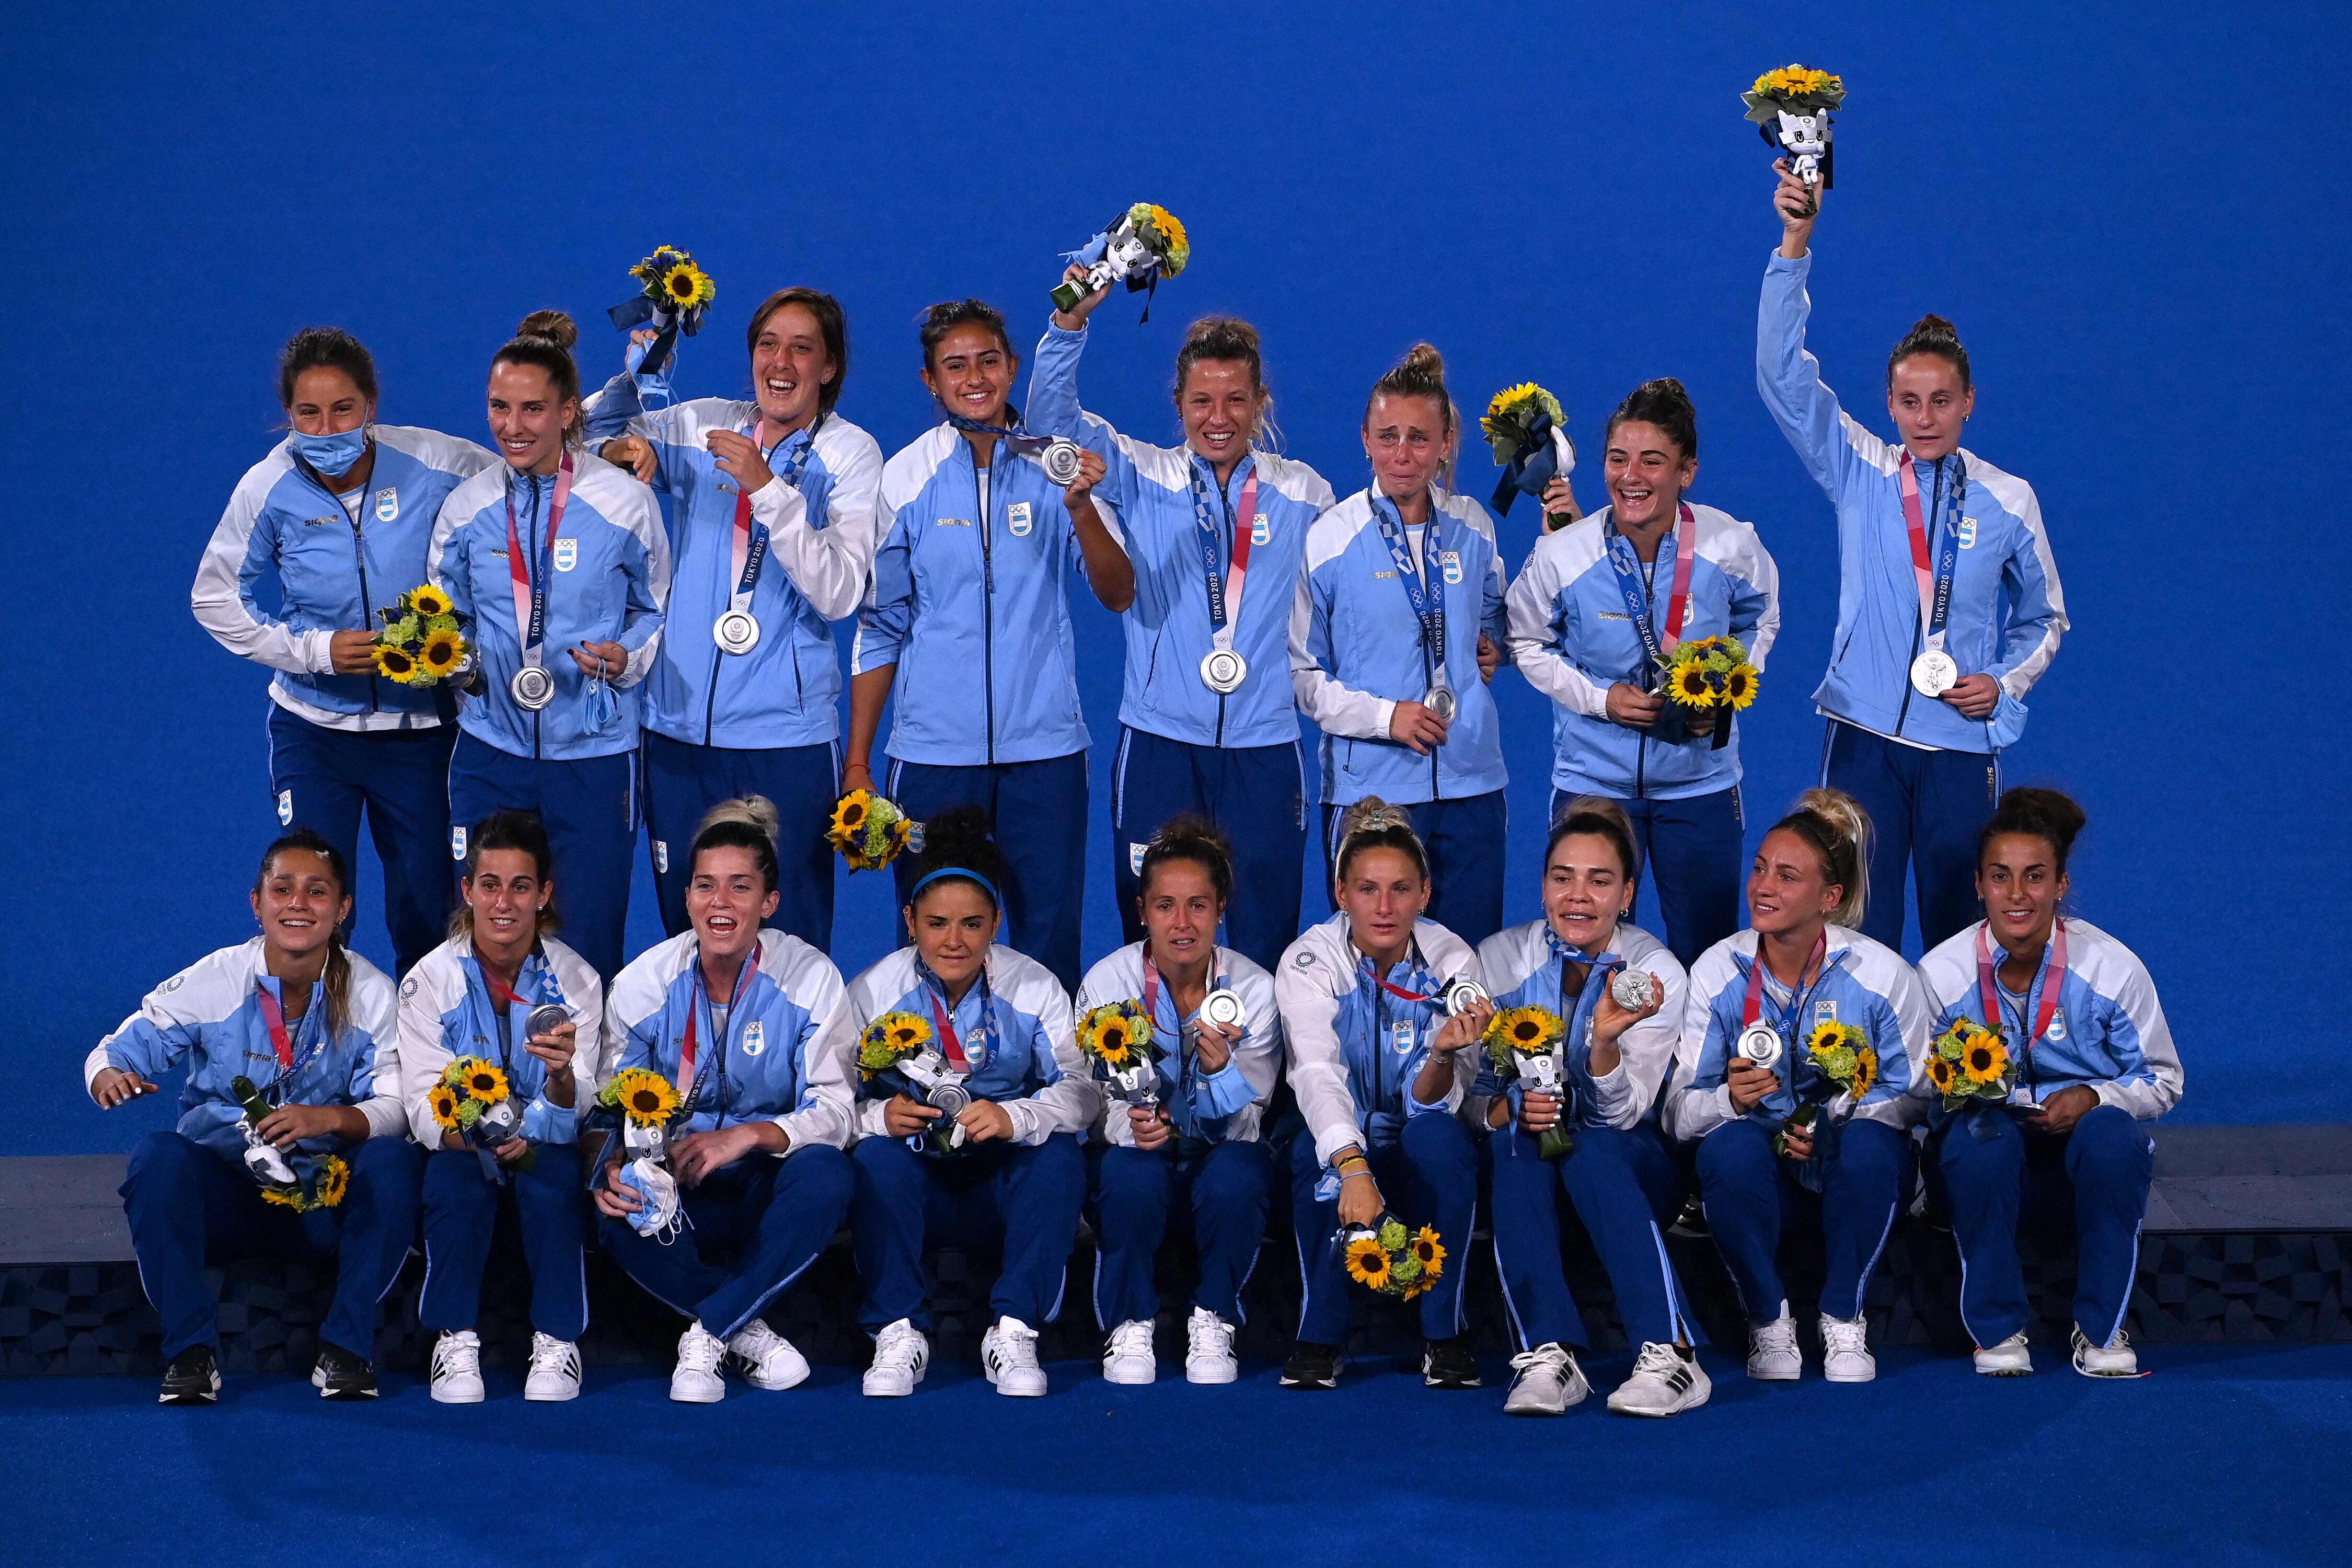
(975, 610)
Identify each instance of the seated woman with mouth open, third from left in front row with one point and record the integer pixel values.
(728, 1012)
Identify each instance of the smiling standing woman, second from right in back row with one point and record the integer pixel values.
(1593, 612)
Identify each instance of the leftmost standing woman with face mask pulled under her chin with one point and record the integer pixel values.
(340, 514)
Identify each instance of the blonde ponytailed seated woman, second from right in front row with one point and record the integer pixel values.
(1744, 1068)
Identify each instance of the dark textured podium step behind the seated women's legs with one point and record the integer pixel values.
(2250, 1238)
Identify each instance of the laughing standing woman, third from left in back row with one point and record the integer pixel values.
(777, 490)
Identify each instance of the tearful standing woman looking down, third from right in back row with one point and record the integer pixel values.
(1396, 631)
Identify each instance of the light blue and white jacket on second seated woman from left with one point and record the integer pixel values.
(448, 1012)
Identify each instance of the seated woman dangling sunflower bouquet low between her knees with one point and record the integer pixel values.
(1382, 1073)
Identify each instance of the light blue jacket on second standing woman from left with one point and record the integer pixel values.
(610, 582)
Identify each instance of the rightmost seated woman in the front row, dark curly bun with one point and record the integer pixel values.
(2097, 1064)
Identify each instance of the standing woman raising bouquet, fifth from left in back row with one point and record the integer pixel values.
(1217, 530)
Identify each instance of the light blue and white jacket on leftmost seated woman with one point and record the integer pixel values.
(211, 1017)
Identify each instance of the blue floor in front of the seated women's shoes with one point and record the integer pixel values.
(2224, 1456)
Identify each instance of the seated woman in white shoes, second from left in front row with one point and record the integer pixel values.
(474, 998)
